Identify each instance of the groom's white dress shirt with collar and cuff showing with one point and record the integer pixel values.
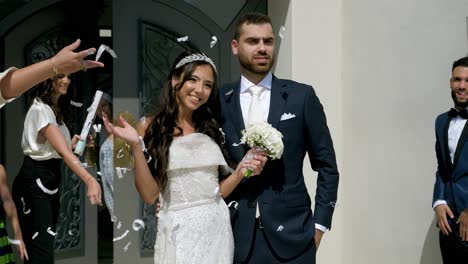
(246, 99)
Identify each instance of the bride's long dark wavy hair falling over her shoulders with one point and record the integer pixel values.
(163, 127)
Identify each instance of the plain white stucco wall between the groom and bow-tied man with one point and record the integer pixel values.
(381, 70)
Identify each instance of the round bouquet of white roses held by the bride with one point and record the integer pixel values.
(264, 137)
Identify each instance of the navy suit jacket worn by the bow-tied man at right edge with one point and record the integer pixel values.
(451, 178)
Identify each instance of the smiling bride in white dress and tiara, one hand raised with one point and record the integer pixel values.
(187, 167)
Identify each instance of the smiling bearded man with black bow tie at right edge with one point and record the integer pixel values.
(451, 186)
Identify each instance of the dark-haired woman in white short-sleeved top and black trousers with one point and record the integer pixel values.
(45, 142)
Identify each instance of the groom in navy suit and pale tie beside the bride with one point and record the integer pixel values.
(273, 221)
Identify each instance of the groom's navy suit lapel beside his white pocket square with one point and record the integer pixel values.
(279, 95)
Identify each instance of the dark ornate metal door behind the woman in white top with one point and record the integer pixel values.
(32, 31)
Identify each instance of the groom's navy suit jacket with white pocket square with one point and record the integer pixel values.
(285, 205)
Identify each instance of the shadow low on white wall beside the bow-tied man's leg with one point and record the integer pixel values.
(431, 250)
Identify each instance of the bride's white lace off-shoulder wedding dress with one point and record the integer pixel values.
(194, 224)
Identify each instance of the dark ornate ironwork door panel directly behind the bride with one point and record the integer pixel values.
(159, 50)
